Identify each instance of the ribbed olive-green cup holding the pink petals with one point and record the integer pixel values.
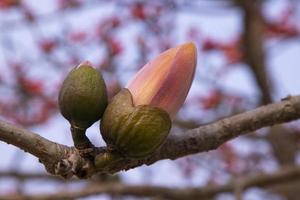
(134, 132)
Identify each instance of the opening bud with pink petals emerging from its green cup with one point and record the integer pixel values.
(138, 119)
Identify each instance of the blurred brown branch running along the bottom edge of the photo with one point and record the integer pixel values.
(261, 180)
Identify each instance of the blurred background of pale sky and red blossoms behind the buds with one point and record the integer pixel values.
(248, 55)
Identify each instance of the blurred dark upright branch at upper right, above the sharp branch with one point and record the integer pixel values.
(253, 40)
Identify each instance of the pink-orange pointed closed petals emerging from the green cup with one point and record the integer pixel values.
(165, 81)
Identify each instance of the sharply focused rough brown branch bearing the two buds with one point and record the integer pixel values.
(67, 161)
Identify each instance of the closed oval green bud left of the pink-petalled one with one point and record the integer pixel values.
(82, 97)
